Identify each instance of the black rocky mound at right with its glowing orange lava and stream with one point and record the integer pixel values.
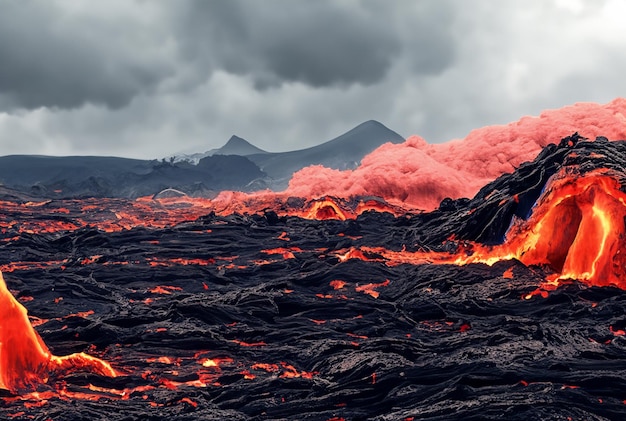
(565, 212)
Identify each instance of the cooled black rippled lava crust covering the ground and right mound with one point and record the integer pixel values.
(258, 317)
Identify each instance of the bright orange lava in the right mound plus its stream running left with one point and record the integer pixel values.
(576, 230)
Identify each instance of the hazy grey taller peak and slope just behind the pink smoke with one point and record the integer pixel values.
(342, 152)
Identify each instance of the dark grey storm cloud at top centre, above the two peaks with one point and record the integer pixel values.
(320, 43)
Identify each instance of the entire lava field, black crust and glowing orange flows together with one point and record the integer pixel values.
(508, 305)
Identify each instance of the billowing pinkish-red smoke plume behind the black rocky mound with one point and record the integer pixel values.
(420, 175)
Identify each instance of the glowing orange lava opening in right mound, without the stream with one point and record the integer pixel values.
(578, 230)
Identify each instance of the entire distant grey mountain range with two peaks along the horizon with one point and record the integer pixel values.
(238, 165)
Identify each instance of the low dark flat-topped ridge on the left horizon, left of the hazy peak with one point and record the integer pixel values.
(88, 176)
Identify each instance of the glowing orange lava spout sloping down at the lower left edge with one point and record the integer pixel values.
(25, 361)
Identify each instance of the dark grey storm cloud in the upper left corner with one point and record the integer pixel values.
(50, 58)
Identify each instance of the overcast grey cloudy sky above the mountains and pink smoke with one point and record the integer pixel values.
(149, 79)
